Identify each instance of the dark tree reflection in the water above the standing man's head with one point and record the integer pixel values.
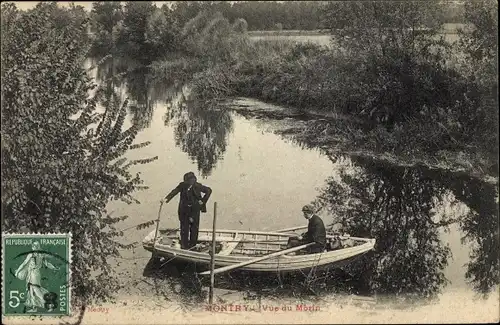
(201, 128)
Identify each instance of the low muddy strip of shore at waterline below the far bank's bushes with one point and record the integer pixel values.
(342, 134)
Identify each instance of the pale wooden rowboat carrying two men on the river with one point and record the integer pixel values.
(238, 246)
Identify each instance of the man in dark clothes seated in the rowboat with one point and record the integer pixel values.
(316, 231)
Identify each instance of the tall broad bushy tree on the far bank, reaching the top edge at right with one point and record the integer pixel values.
(404, 65)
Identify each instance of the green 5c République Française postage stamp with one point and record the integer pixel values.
(36, 271)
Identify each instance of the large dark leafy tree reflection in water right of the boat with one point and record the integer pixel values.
(394, 205)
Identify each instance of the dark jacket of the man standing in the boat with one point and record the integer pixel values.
(191, 198)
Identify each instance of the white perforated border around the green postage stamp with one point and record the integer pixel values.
(69, 258)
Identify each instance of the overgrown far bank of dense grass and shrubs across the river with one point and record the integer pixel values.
(436, 117)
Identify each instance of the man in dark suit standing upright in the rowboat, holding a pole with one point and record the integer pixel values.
(190, 205)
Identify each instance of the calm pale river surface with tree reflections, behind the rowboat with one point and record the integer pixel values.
(261, 179)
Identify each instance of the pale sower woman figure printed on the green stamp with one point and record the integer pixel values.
(30, 271)
